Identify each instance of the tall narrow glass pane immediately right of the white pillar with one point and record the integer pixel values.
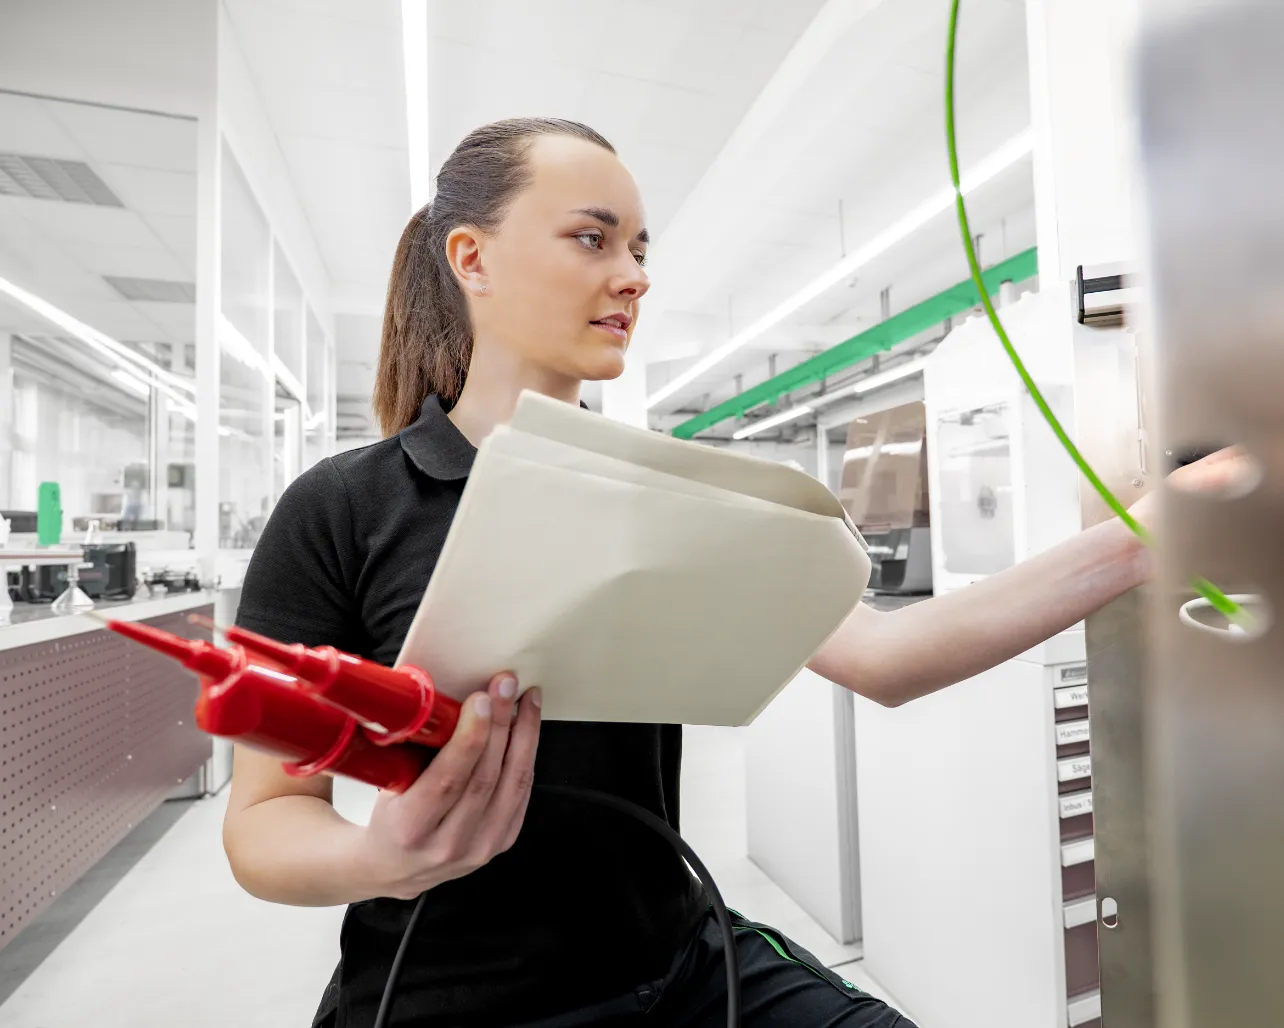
(247, 383)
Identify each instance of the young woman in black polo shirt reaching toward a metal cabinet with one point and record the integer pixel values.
(527, 273)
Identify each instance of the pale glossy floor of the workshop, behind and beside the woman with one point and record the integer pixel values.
(173, 940)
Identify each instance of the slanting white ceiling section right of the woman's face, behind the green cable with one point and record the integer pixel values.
(856, 119)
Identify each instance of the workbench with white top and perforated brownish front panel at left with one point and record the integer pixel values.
(96, 733)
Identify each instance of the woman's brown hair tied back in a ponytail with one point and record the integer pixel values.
(428, 338)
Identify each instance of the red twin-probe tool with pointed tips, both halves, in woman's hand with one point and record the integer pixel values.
(319, 709)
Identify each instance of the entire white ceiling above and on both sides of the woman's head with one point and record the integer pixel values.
(747, 123)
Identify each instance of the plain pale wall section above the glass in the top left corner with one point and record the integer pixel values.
(148, 55)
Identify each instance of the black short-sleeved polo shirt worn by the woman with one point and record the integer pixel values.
(587, 904)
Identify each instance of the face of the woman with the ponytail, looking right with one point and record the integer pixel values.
(563, 277)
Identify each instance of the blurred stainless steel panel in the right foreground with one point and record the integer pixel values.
(1213, 143)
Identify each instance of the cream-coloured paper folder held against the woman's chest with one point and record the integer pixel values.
(634, 577)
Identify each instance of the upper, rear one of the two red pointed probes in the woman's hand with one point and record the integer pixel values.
(400, 704)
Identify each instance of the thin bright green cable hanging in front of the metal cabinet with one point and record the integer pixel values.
(1210, 592)
